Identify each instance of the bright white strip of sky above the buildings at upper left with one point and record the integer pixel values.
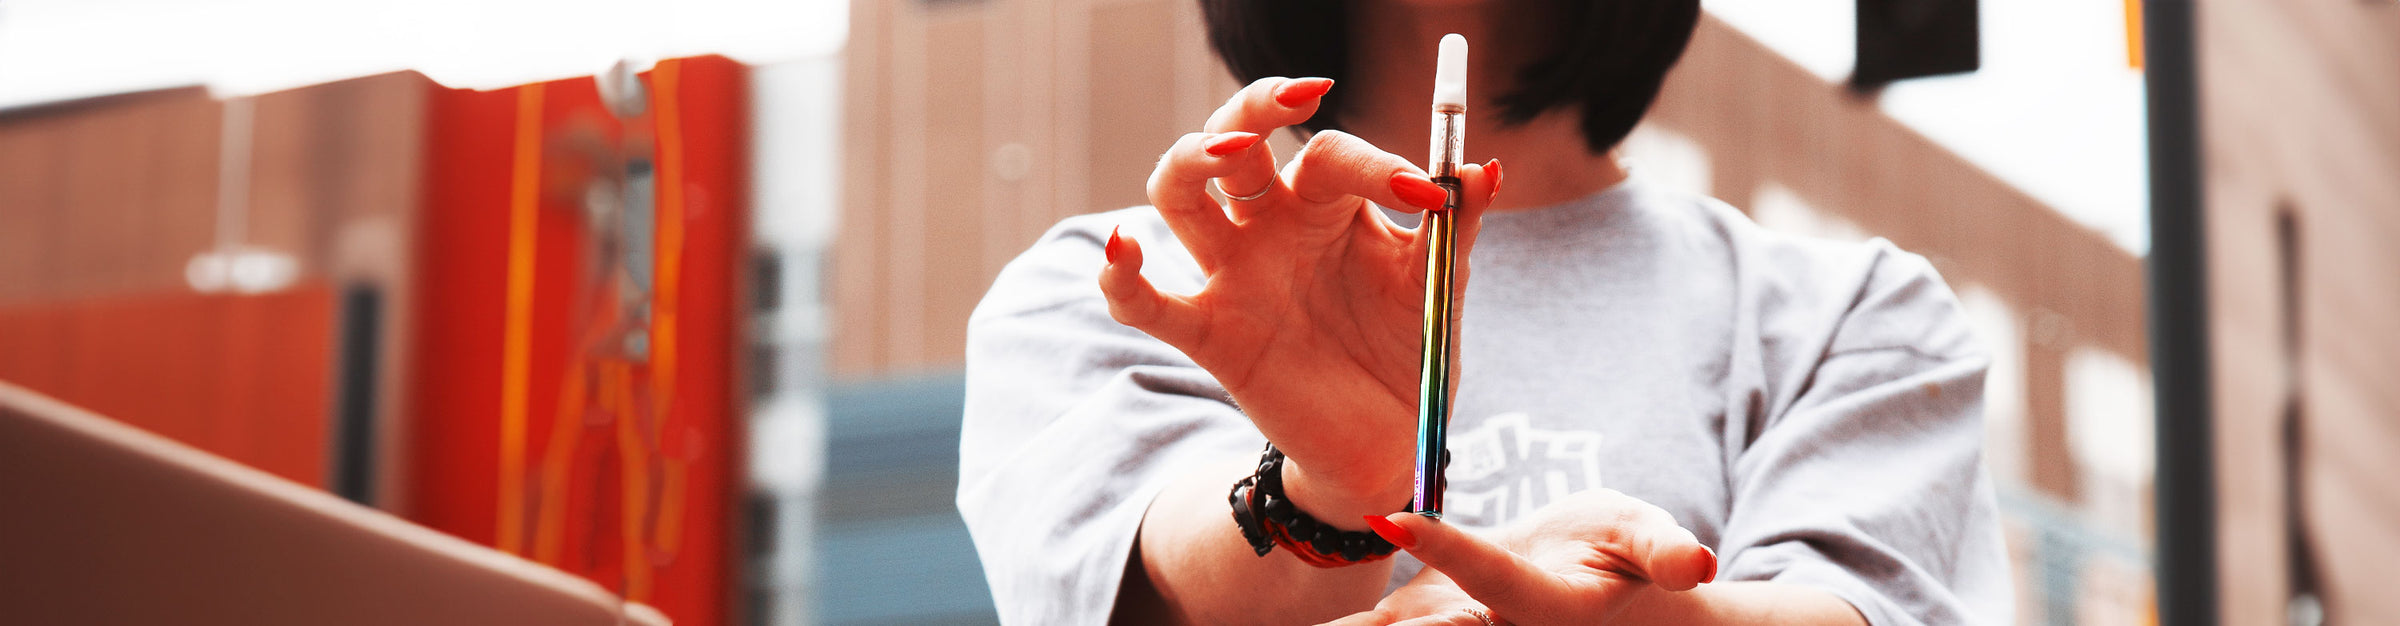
(71, 49)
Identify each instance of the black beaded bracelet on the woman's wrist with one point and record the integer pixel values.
(1266, 519)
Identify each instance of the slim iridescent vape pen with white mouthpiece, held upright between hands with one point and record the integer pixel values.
(1441, 229)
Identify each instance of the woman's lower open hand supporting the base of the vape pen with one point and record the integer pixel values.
(1585, 560)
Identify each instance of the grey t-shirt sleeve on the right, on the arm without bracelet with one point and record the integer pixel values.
(1866, 478)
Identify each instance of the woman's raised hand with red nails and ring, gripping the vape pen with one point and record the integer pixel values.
(1314, 306)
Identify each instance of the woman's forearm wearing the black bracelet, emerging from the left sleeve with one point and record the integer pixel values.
(1204, 572)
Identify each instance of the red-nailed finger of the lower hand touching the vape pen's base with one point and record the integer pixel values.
(1487, 572)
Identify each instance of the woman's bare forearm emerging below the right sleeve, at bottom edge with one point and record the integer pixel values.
(1744, 603)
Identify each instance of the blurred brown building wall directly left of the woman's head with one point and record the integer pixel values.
(976, 126)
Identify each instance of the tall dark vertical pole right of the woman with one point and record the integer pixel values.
(2188, 524)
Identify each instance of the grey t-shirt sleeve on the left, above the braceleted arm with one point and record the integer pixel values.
(1074, 423)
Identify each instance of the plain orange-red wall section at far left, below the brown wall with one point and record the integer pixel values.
(236, 375)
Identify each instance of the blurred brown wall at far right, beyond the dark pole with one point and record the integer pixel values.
(2300, 116)
